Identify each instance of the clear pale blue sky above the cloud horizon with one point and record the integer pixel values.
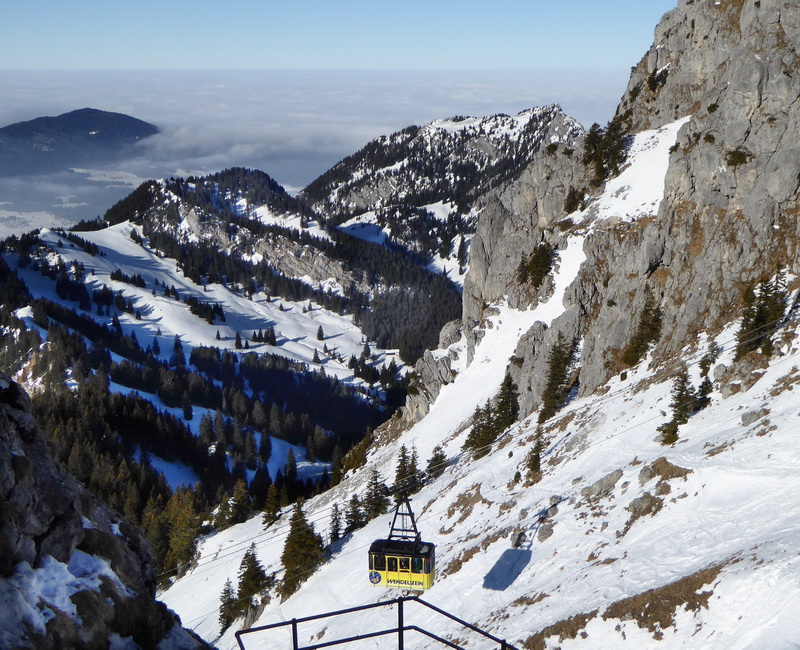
(328, 34)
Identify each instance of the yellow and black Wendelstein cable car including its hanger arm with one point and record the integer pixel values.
(402, 560)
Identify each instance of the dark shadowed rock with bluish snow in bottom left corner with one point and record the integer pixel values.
(75, 573)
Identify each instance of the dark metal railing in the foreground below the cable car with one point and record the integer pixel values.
(399, 631)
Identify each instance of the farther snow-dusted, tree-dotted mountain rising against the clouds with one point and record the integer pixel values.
(417, 188)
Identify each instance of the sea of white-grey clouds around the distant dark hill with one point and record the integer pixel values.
(294, 125)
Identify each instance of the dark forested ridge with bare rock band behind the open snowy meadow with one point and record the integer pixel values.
(241, 227)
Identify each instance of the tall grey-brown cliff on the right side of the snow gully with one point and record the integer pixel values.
(729, 217)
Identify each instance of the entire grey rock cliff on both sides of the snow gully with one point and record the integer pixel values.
(728, 214)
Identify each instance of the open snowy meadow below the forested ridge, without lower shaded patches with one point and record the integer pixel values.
(296, 326)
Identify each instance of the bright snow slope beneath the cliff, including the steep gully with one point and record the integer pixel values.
(737, 508)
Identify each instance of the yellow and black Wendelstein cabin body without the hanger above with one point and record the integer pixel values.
(404, 564)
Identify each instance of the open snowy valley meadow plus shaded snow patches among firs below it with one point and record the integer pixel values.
(155, 316)
